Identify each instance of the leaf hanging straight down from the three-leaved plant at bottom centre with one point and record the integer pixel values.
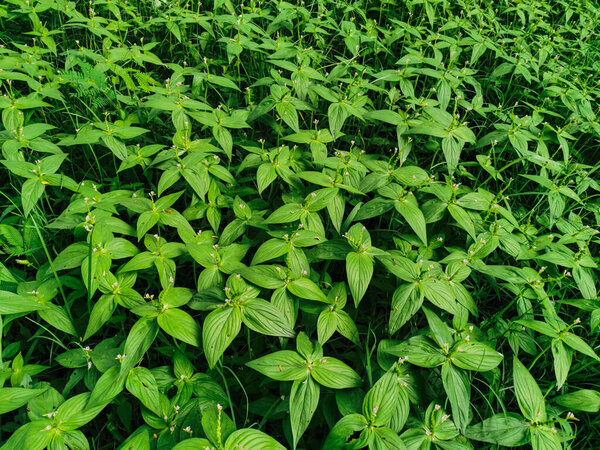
(304, 399)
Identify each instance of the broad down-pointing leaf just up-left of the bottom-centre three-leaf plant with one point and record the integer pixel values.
(220, 328)
